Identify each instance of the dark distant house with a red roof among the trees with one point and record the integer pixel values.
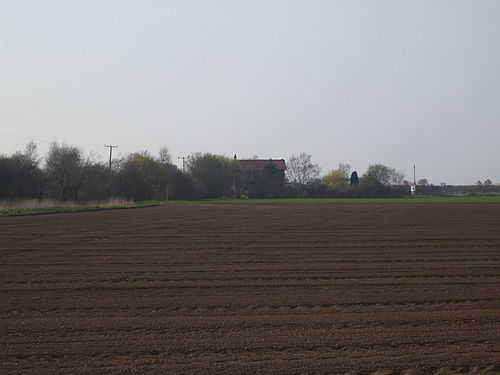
(262, 178)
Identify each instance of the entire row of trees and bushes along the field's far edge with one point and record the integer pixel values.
(67, 174)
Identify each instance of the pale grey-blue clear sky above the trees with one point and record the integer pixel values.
(397, 82)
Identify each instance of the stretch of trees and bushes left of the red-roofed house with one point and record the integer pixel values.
(67, 174)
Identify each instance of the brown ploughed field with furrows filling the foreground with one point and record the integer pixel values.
(253, 289)
